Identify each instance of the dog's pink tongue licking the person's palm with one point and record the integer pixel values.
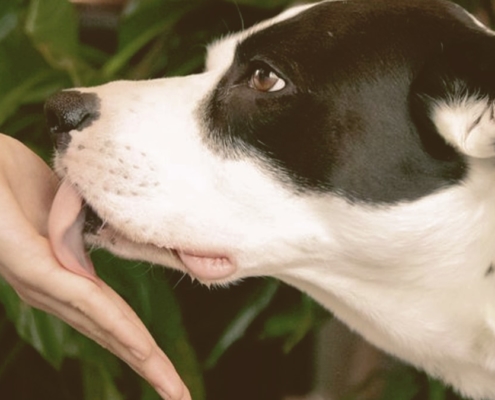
(65, 225)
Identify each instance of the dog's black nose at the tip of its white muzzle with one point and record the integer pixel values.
(69, 111)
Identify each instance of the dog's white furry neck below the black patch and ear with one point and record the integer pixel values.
(381, 282)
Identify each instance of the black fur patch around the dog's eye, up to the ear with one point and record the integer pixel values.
(349, 120)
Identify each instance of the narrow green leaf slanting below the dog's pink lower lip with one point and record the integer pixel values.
(253, 307)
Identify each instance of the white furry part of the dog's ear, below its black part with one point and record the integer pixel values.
(468, 124)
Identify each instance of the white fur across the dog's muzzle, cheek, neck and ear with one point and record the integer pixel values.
(408, 277)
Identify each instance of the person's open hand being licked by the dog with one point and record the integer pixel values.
(27, 190)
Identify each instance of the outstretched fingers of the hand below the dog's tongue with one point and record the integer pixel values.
(97, 311)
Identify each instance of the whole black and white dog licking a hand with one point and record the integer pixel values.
(346, 148)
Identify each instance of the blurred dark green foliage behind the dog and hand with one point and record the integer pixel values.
(252, 341)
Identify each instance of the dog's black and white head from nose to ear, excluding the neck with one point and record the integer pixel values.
(253, 164)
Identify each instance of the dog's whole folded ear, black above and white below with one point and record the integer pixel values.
(455, 94)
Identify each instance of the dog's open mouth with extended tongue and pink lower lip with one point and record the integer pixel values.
(71, 218)
